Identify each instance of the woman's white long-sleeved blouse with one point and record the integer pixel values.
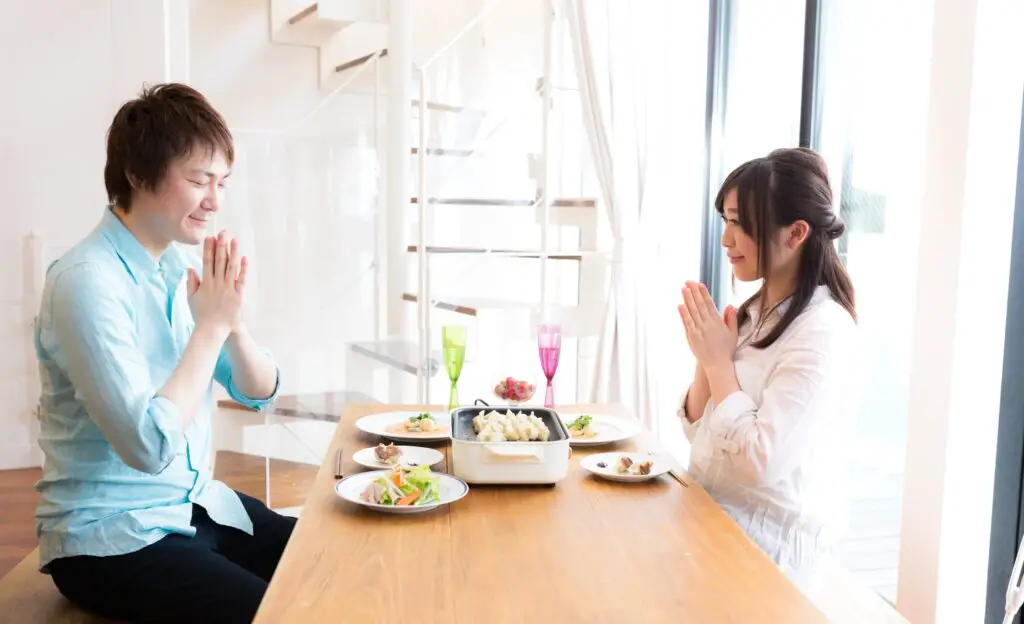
(774, 454)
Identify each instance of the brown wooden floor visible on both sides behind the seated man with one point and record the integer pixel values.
(289, 485)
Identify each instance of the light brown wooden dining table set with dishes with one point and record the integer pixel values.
(582, 551)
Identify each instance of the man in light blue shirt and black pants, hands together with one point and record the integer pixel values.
(130, 338)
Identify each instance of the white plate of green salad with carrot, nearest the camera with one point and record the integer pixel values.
(402, 490)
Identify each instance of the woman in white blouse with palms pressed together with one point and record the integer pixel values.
(774, 394)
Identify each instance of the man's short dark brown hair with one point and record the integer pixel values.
(166, 122)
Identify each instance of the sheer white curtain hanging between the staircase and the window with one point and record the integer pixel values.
(642, 88)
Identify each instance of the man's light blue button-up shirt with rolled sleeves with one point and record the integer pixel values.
(120, 473)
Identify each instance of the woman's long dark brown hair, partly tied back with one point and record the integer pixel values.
(786, 187)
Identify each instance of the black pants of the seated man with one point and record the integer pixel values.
(219, 576)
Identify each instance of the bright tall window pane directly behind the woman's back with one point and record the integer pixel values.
(873, 87)
